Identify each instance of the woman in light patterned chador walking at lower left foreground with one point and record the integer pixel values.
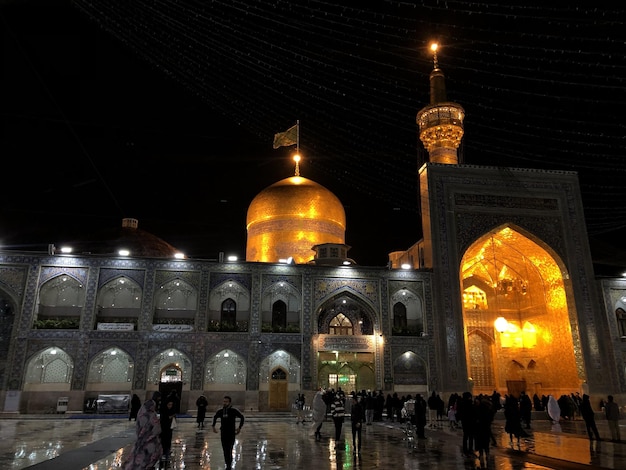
(147, 449)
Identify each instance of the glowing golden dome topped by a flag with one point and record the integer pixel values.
(287, 219)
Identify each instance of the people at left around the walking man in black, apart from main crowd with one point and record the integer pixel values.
(156, 421)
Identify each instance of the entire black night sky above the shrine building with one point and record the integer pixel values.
(165, 111)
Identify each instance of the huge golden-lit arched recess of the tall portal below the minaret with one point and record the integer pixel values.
(518, 323)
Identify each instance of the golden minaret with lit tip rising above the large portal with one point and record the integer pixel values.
(441, 122)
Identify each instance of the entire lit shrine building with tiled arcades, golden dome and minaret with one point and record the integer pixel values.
(499, 294)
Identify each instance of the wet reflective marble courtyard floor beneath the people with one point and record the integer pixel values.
(277, 442)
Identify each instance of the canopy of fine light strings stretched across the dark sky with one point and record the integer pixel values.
(542, 86)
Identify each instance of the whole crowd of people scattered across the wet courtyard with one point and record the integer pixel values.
(156, 419)
